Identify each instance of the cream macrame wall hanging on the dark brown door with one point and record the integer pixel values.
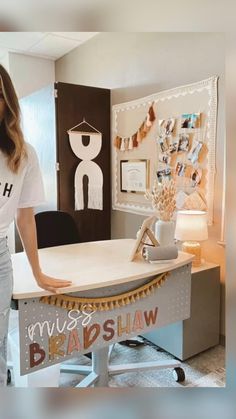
(87, 166)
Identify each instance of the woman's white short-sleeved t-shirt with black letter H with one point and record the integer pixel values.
(19, 190)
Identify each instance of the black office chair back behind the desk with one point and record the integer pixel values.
(55, 228)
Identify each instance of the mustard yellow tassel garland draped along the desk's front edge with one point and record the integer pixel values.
(106, 303)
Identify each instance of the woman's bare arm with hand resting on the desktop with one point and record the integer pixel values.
(27, 229)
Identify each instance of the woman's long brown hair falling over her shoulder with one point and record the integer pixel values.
(12, 142)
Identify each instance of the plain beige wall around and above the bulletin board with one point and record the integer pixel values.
(133, 65)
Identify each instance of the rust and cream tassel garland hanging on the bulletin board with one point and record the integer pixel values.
(126, 144)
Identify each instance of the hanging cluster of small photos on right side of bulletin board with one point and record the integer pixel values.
(182, 155)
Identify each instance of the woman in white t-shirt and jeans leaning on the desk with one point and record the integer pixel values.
(21, 189)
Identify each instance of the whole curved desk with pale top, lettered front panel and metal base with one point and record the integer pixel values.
(97, 269)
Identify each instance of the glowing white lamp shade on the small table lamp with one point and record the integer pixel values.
(191, 225)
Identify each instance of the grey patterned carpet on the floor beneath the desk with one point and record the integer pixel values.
(204, 370)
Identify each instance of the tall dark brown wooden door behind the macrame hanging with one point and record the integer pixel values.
(73, 104)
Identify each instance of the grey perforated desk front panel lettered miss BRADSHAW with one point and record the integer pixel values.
(51, 334)
